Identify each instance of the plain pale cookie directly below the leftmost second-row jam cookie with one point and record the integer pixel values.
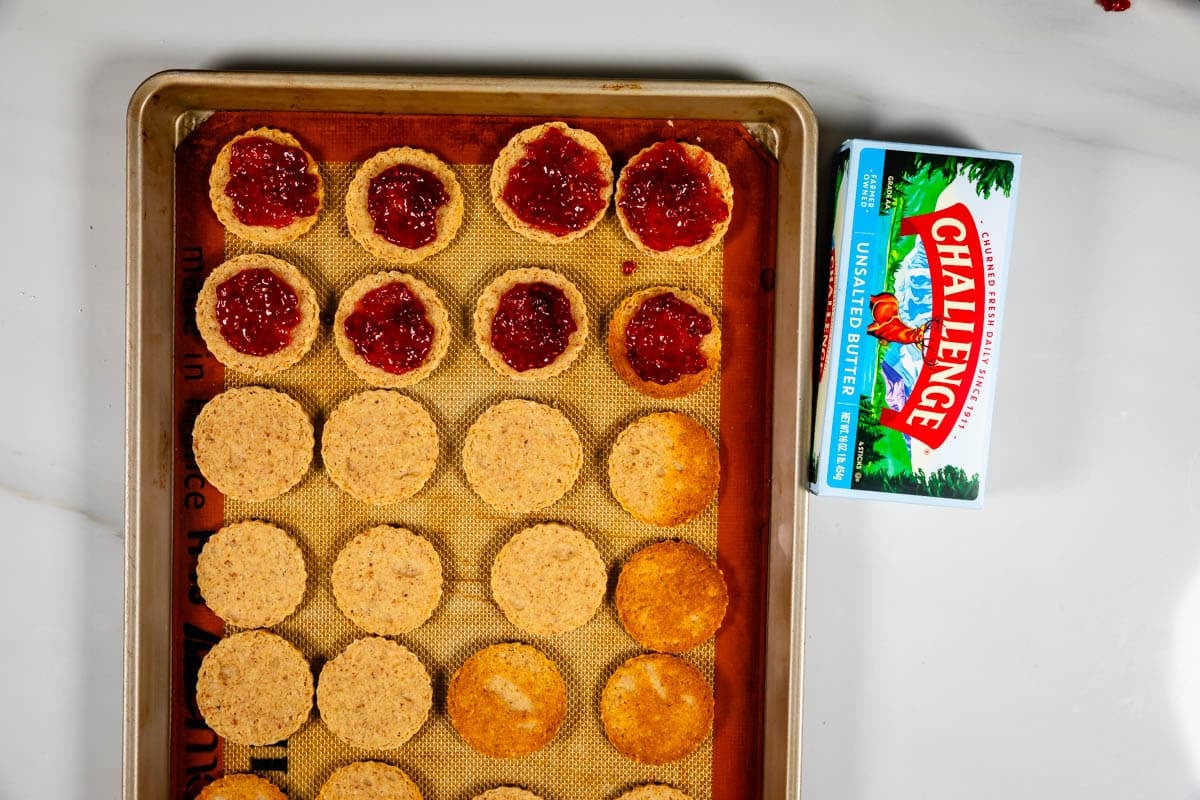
(253, 443)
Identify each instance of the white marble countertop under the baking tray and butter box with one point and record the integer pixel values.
(1047, 647)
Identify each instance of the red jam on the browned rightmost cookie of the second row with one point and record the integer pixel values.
(663, 340)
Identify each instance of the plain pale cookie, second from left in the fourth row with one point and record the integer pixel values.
(388, 580)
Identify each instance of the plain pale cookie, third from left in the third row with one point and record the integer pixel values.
(521, 456)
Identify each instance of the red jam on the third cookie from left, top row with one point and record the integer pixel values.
(557, 187)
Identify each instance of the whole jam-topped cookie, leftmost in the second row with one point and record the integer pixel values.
(257, 314)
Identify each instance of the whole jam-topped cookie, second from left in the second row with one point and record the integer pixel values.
(392, 330)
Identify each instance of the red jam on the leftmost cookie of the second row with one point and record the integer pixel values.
(257, 312)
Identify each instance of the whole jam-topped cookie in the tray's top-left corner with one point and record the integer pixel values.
(266, 188)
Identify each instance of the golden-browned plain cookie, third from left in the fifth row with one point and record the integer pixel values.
(507, 701)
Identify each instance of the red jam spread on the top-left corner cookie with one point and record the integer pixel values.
(271, 184)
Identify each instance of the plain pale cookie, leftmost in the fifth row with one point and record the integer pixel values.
(255, 689)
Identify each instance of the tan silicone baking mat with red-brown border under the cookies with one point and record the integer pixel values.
(736, 279)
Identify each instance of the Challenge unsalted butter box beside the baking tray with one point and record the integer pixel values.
(908, 365)
